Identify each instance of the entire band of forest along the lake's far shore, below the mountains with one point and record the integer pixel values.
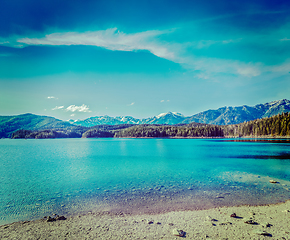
(275, 126)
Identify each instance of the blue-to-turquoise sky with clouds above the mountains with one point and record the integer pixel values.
(77, 59)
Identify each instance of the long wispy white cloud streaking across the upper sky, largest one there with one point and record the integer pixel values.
(115, 40)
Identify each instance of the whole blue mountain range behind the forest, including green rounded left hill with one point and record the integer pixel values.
(221, 116)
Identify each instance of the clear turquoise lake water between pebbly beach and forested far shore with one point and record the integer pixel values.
(70, 176)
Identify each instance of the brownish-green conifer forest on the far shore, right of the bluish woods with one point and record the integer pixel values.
(269, 127)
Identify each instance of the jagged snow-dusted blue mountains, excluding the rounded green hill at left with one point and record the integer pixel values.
(221, 116)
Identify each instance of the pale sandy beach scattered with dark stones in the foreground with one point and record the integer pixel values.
(250, 222)
